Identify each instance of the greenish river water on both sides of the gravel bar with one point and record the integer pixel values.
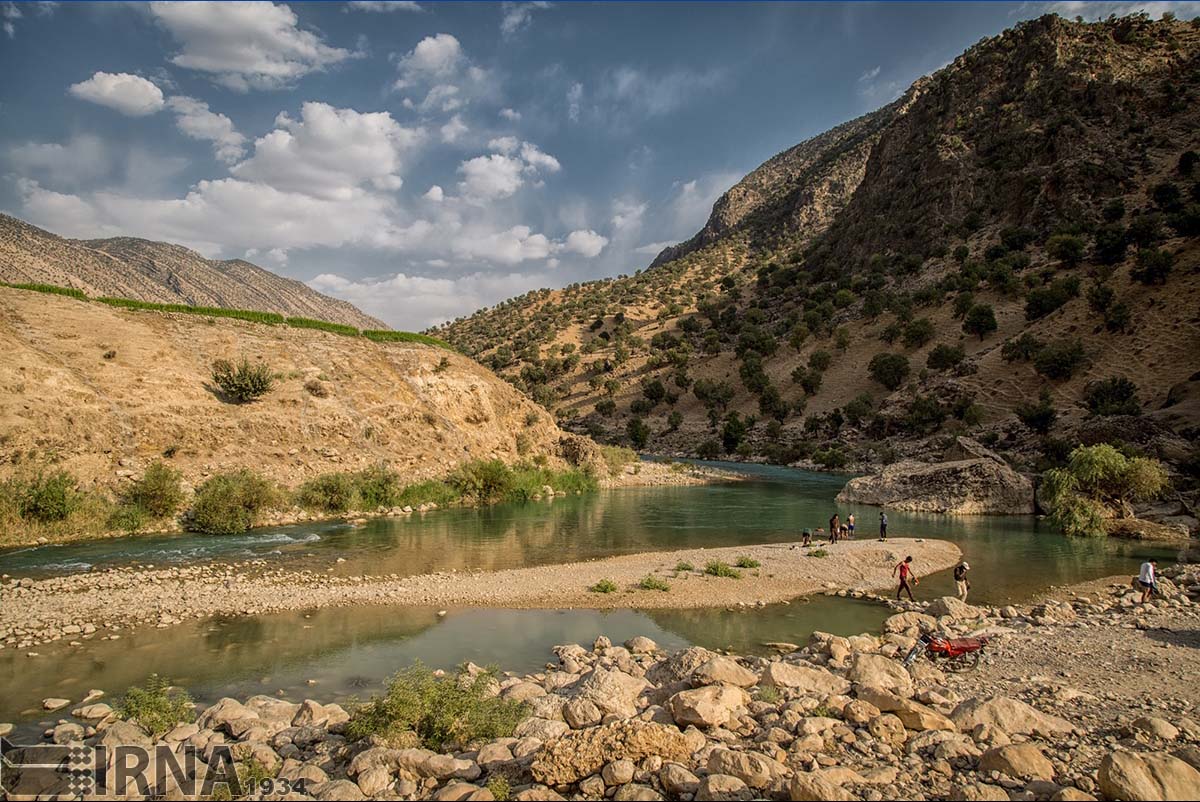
(338, 654)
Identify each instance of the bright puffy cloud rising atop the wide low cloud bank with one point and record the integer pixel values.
(331, 153)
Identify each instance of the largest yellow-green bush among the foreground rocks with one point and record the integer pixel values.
(443, 714)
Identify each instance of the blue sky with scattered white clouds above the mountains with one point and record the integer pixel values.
(424, 160)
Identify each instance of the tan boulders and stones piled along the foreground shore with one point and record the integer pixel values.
(841, 719)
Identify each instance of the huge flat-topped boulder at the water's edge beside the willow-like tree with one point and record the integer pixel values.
(973, 487)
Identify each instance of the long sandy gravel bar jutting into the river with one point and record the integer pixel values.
(69, 607)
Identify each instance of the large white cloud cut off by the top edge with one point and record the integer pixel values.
(245, 45)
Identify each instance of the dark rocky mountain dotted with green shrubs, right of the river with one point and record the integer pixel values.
(1010, 250)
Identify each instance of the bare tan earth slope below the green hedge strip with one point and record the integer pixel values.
(104, 392)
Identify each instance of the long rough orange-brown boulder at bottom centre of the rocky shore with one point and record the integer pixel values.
(584, 753)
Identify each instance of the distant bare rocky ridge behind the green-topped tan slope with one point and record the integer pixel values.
(147, 271)
